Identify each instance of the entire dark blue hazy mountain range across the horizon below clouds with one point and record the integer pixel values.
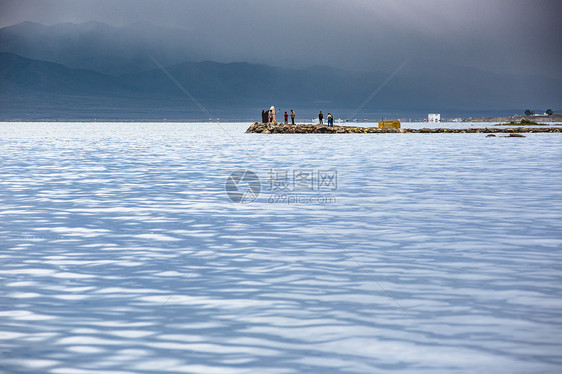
(93, 64)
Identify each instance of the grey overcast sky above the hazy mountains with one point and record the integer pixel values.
(498, 35)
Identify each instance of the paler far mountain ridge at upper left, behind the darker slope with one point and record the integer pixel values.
(98, 46)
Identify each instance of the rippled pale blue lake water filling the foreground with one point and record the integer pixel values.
(122, 253)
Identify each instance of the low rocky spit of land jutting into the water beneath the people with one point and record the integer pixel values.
(281, 128)
